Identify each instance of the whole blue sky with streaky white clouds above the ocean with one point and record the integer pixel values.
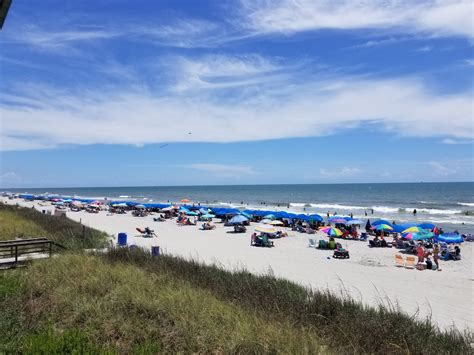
(101, 93)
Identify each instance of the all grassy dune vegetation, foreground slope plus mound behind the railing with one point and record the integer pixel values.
(129, 301)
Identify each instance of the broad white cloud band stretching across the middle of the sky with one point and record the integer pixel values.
(43, 117)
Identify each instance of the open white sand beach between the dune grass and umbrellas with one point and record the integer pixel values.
(369, 275)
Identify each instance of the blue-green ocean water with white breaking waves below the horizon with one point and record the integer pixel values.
(450, 205)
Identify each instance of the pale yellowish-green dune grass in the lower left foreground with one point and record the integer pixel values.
(89, 303)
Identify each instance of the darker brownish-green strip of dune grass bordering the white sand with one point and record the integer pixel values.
(342, 323)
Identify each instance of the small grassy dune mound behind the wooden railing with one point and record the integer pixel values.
(29, 223)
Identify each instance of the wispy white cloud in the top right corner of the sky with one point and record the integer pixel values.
(431, 17)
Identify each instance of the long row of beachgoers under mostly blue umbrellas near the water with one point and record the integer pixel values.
(345, 227)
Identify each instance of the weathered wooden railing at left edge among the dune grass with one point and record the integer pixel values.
(12, 251)
